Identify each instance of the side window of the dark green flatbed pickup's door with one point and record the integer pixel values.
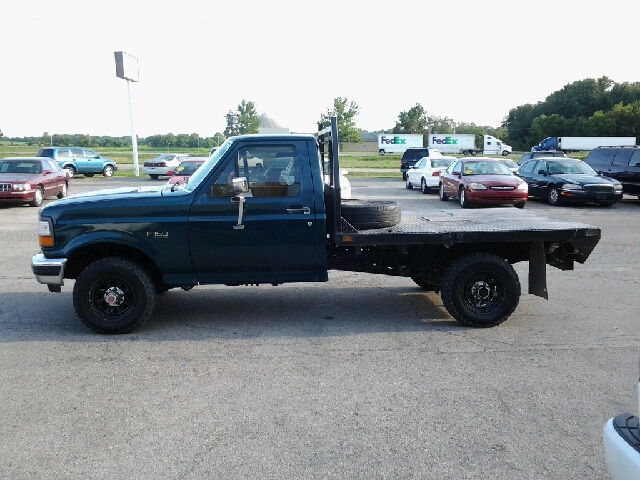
(272, 171)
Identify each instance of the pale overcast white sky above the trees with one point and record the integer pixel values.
(469, 60)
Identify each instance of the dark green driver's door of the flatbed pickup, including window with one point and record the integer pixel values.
(277, 239)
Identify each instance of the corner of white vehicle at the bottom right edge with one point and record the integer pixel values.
(621, 438)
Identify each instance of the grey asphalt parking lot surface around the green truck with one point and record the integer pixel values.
(361, 377)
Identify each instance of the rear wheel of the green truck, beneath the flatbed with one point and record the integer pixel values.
(480, 290)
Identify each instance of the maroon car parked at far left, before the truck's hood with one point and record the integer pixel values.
(30, 180)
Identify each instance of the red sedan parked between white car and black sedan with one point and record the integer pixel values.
(482, 180)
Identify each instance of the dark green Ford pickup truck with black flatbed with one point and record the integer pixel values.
(268, 209)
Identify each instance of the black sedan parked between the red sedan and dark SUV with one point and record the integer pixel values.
(568, 180)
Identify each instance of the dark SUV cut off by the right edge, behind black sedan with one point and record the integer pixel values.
(621, 163)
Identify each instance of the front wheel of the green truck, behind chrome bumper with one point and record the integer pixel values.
(113, 295)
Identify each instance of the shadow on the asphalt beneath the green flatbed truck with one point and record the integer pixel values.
(219, 312)
